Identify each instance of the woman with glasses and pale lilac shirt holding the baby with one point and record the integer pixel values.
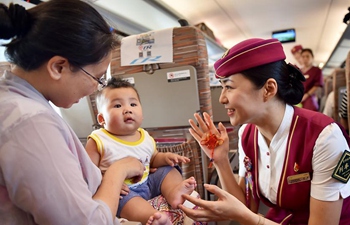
(60, 51)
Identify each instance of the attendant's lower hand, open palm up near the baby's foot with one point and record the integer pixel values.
(227, 207)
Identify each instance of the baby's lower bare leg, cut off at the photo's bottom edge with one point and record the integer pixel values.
(138, 209)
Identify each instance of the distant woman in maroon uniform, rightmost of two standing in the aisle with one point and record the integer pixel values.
(314, 81)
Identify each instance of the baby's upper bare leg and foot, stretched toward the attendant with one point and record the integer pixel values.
(173, 187)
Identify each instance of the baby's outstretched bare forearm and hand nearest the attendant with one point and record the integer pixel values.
(167, 158)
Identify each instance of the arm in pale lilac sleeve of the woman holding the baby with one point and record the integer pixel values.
(49, 176)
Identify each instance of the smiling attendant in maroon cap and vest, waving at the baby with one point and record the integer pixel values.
(291, 159)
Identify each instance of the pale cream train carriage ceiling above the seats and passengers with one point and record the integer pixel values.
(318, 24)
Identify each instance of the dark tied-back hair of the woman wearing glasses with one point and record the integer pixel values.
(69, 28)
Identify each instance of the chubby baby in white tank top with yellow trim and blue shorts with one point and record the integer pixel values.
(120, 114)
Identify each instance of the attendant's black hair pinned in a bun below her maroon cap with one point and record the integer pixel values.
(288, 78)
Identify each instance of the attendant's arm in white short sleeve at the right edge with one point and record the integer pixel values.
(326, 192)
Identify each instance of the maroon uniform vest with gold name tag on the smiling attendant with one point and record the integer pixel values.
(293, 200)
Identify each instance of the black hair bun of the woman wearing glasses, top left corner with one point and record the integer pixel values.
(15, 21)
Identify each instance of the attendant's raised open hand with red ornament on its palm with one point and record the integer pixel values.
(200, 132)
